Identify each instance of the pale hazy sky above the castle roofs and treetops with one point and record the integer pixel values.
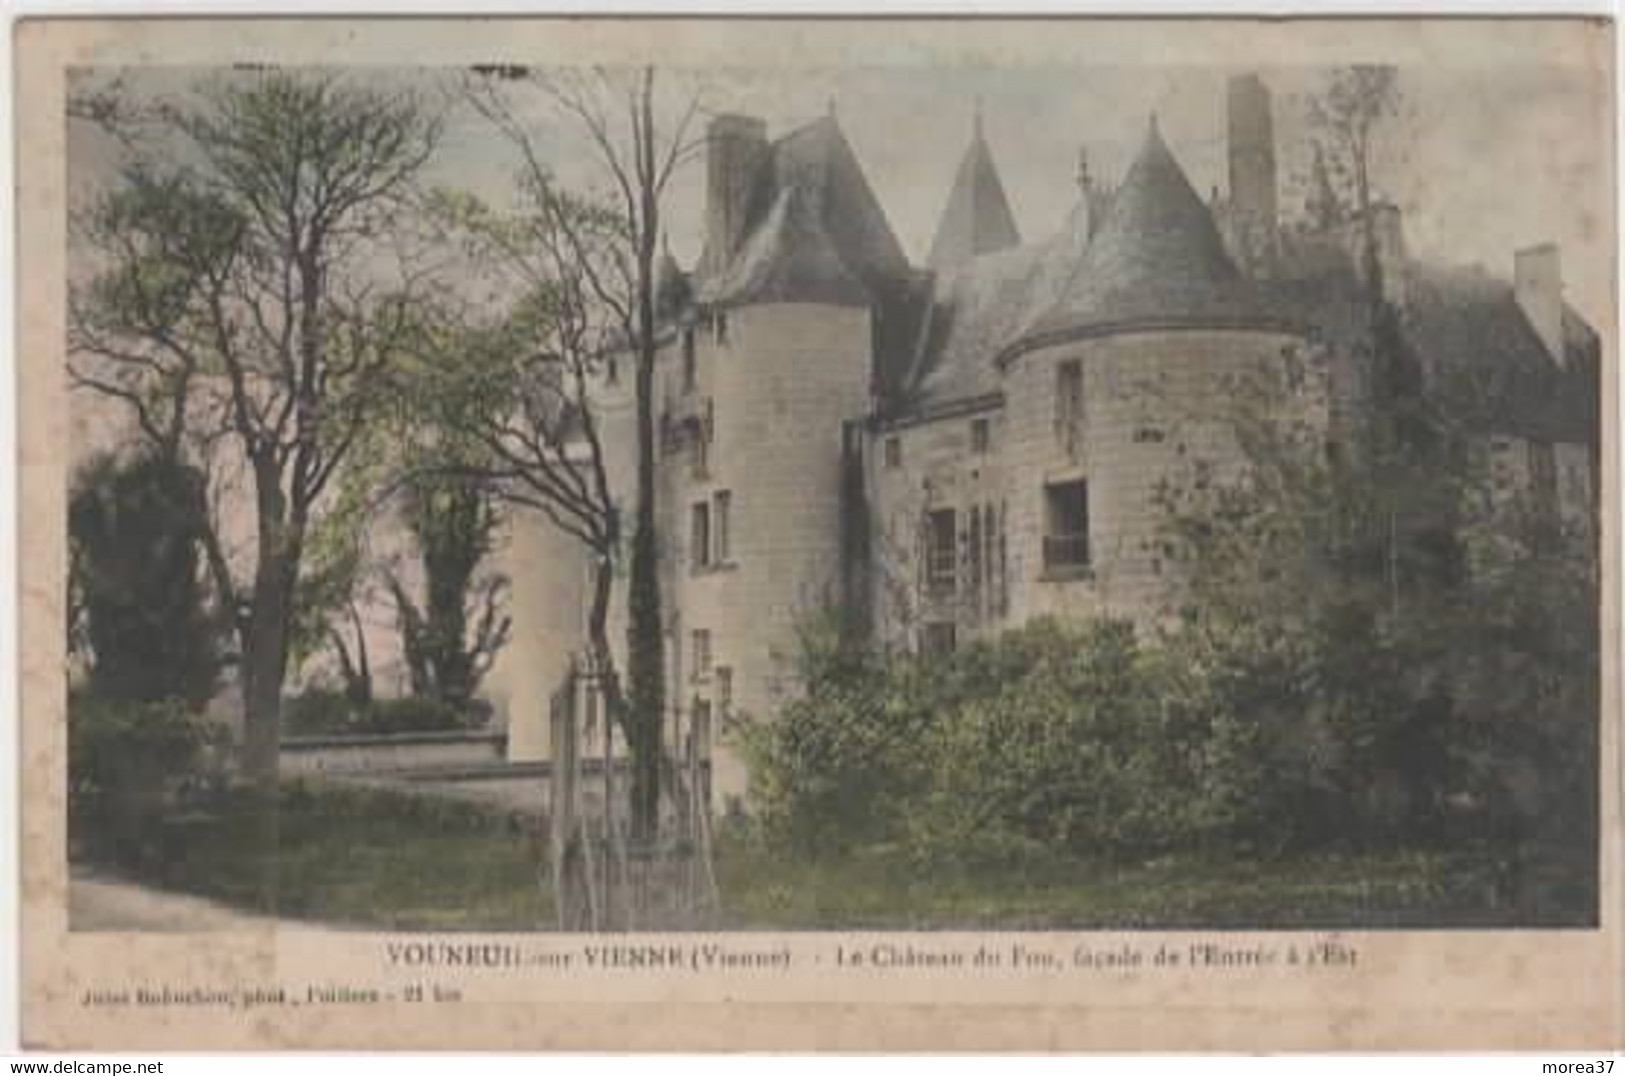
(1481, 160)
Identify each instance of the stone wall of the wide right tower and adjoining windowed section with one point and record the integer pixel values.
(1156, 409)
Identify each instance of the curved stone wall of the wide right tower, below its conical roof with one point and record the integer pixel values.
(1158, 409)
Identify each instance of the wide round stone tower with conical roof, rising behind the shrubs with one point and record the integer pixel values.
(1120, 389)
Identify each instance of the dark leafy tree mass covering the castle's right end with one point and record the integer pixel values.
(1350, 714)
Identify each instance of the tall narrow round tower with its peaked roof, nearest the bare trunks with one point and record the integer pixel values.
(776, 362)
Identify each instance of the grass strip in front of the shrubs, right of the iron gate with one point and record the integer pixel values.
(1320, 892)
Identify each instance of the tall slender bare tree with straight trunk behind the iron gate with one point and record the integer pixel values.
(638, 155)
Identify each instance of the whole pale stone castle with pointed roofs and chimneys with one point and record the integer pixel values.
(953, 449)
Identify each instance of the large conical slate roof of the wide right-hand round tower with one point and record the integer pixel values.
(1156, 261)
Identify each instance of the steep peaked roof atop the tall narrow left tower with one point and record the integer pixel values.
(834, 207)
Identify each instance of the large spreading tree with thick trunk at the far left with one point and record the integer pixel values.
(241, 310)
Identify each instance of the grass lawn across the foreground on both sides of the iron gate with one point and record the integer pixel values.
(384, 861)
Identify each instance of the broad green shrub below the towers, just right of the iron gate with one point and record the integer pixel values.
(1070, 740)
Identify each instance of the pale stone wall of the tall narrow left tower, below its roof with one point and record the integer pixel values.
(776, 388)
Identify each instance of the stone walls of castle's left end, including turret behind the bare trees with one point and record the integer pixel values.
(761, 422)
